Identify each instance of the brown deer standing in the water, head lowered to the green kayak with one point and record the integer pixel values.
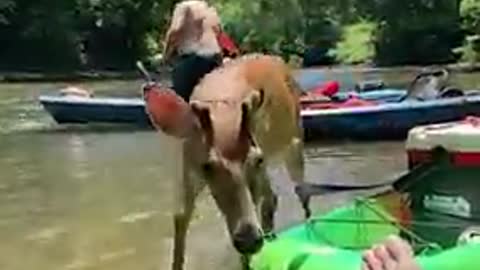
(241, 117)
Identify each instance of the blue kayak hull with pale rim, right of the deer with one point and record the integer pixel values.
(388, 120)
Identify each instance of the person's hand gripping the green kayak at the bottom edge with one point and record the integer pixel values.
(393, 254)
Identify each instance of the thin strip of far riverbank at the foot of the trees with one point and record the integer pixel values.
(99, 75)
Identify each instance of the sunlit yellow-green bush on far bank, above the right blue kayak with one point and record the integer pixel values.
(356, 45)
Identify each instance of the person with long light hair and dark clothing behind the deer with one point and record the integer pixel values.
(196, 43)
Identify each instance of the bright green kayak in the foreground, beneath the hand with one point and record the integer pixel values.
(336, 240)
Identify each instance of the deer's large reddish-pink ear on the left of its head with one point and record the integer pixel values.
(168, 111)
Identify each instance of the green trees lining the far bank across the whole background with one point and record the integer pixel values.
(112, 34)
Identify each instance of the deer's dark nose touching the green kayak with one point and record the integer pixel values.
(247, 239)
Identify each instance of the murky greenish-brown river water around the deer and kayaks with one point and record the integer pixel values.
(79, 198)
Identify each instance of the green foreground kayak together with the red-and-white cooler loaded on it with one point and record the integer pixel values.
(435, 206)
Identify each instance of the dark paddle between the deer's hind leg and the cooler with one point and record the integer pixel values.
(402, 183)
